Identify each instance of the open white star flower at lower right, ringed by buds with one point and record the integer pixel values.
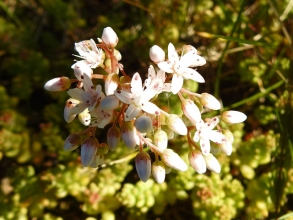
(205, 134)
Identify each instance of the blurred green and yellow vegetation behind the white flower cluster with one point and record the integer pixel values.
(248, 46)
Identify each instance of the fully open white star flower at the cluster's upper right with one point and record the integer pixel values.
(180, 67)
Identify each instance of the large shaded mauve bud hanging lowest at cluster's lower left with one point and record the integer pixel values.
(89, 148)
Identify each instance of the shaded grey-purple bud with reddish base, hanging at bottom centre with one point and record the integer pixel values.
(143, 165)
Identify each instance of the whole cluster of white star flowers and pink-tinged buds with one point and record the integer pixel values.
(128, 104)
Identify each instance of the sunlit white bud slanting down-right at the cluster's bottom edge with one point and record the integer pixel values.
(173, 160)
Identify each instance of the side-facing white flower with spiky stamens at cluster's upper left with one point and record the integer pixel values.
(93, 56)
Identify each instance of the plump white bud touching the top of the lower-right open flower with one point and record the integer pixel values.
(191, 111)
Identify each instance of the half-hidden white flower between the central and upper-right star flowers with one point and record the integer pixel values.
(156, 82)
